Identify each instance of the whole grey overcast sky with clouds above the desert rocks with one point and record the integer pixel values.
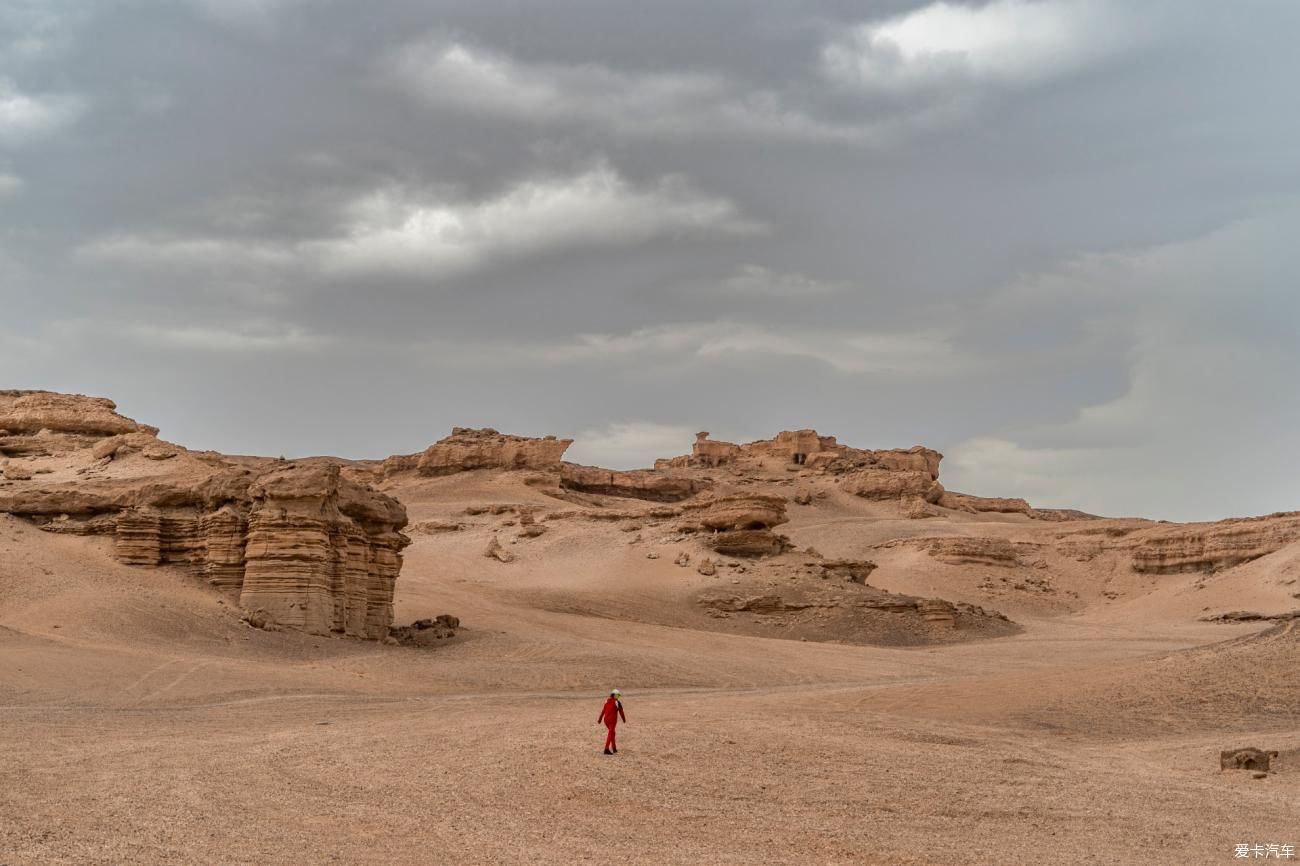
(1054, 240)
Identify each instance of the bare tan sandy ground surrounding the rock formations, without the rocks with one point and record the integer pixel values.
(142, 724)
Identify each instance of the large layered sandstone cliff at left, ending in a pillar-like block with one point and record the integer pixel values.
(298, 543)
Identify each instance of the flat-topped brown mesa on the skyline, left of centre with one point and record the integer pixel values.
(482, 449)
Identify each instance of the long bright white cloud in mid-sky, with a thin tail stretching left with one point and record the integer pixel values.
(391, 232)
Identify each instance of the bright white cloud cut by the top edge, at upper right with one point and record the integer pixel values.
(1003, 42)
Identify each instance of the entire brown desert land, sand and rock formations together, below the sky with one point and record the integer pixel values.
(825, 659)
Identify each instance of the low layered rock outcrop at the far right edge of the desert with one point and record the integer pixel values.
(1210, 547)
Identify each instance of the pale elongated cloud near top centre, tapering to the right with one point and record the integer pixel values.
(447, 73)
